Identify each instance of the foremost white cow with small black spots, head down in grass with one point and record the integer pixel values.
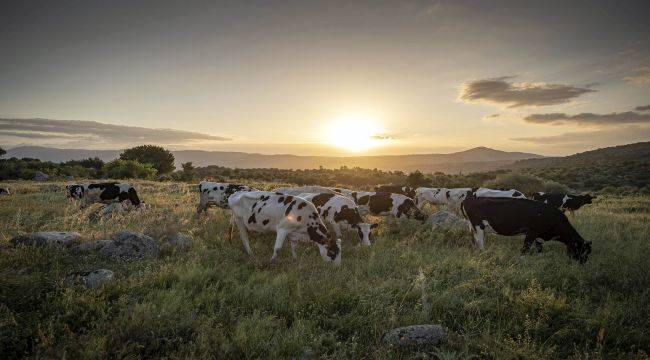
(287, 216)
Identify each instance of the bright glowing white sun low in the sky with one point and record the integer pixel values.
(354, 133)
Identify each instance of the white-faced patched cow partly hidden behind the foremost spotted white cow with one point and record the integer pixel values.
(341, 213)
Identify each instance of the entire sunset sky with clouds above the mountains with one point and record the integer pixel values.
(325, 77)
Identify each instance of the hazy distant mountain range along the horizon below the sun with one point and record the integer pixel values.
(472, 160)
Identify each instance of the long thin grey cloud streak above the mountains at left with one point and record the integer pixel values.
(91, 131)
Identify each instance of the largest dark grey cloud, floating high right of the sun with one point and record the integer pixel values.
(501, 91)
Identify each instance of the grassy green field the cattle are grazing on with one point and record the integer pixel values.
(211, 301)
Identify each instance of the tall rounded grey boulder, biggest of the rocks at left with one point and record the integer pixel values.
(127, 245)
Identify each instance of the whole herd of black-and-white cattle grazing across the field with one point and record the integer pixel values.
(321, 214)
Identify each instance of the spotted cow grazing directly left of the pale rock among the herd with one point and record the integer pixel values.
(381, 204)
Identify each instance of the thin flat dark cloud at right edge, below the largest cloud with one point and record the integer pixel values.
(628, 117)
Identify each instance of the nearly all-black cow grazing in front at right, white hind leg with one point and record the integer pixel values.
(535, 220)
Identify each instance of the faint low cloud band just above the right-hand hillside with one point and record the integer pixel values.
(592, 139)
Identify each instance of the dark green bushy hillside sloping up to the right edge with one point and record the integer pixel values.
(617, 166)
